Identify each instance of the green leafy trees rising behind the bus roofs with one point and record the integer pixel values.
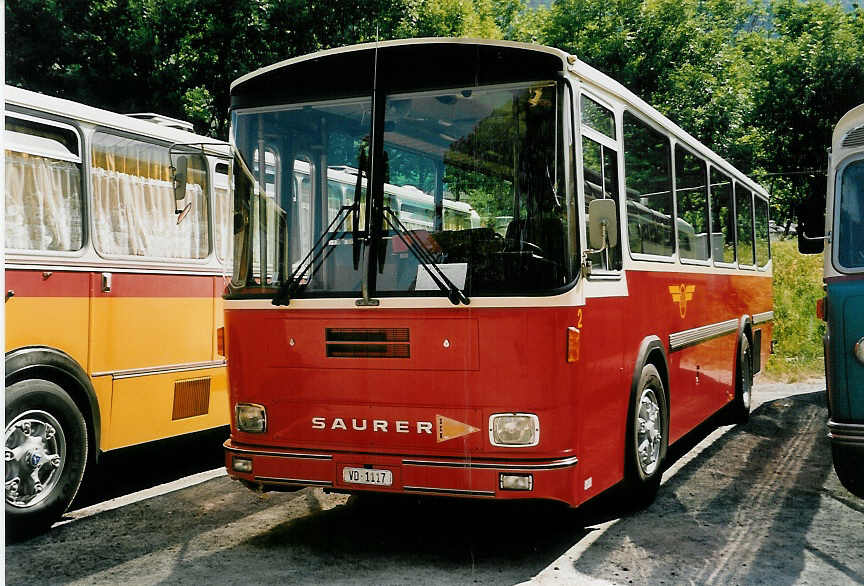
(762, 84)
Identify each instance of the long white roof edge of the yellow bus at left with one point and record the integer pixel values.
(13, 96)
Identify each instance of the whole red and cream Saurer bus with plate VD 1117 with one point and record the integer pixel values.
(613, 292)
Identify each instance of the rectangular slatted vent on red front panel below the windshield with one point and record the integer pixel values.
(368, 342)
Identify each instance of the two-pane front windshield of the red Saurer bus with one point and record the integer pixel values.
(472, 181)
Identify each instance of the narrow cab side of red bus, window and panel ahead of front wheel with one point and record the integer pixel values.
(604, 388)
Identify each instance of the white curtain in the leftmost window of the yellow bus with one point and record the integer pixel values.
(43, 203)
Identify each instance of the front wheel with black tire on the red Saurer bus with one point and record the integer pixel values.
(646, 444)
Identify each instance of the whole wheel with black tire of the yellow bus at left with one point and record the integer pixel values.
(46, 450)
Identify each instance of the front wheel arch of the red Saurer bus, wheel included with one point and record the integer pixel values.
(649, 394)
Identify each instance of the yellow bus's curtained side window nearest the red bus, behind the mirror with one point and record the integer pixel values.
(133, 201)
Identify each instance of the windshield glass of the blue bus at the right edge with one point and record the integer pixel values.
(849, 242)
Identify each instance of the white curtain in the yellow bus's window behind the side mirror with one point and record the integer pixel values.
(135, 216)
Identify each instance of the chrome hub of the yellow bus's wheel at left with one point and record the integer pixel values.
(34, 454)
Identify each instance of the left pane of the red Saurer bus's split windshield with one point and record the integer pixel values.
(291, 203)
